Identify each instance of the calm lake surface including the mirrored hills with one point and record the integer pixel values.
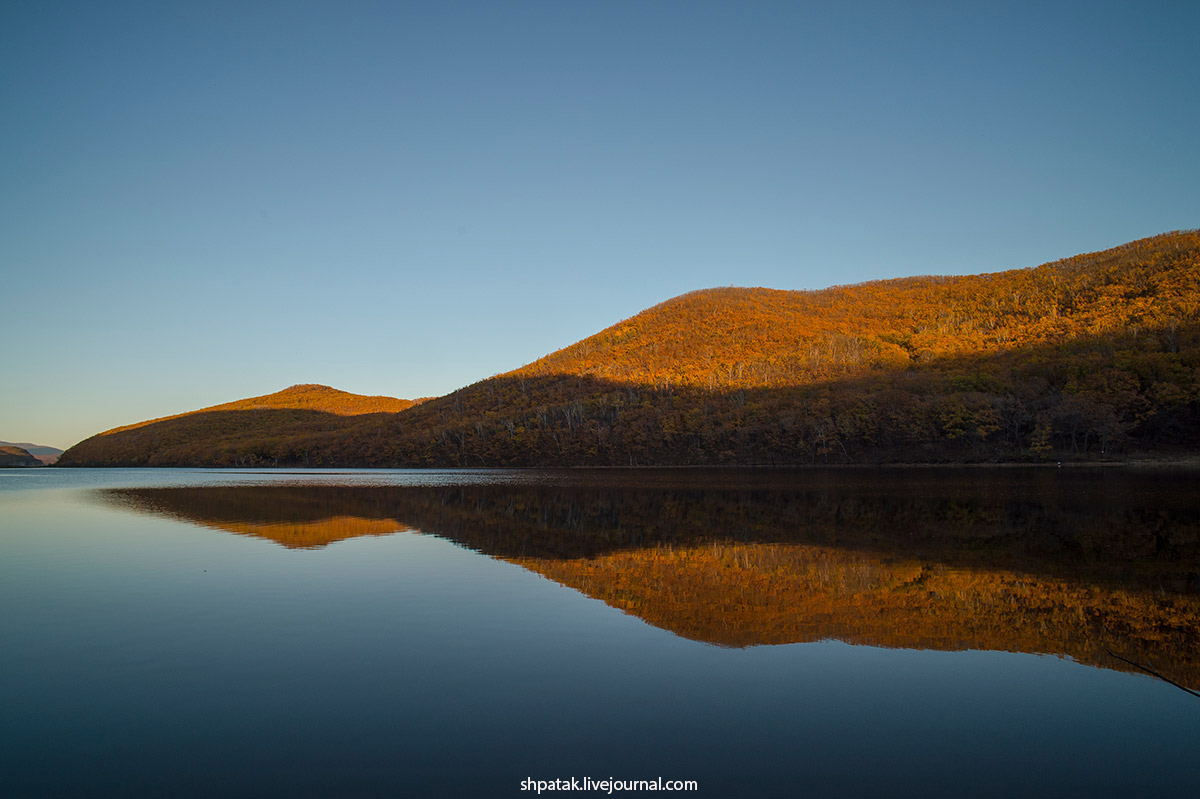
(397, 634)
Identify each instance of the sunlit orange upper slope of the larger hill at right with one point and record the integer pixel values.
(742, 339)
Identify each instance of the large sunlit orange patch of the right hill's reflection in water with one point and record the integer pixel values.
(745, 594)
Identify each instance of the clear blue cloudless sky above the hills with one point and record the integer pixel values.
(202, 202)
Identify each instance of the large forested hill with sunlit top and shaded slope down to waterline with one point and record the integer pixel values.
(1095, 357)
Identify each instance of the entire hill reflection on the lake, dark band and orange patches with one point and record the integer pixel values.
(1061, 562)
